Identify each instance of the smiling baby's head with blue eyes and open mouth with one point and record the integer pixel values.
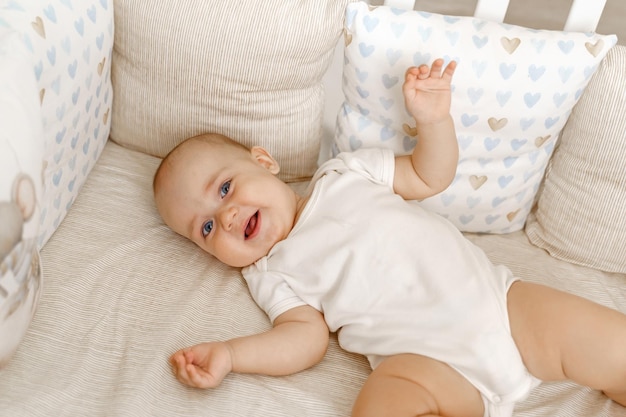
(227, 201)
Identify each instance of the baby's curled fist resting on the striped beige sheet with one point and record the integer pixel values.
(202, 366)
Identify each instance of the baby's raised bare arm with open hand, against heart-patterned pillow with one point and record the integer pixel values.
(432, 166)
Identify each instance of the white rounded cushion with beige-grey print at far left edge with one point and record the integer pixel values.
(21, 161)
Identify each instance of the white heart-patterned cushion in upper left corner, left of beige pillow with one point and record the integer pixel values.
(71, 44)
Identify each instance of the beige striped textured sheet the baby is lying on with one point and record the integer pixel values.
(121, 292)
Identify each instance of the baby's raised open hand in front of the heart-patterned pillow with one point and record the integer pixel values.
(427, 91)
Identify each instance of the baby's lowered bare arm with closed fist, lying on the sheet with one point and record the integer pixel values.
(297, 341)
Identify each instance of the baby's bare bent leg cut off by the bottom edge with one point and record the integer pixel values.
(414, 385)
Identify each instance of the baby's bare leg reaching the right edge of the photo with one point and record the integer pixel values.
(562, 336)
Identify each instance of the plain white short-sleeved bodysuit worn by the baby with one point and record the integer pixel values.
(391, 277)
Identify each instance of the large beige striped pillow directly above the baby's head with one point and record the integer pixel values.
(249, 69)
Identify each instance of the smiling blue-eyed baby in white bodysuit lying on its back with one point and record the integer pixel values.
(446, 332)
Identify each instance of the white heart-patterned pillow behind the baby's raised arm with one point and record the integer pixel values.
(513, 91)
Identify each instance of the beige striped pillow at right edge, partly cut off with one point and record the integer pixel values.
(581, 213)
